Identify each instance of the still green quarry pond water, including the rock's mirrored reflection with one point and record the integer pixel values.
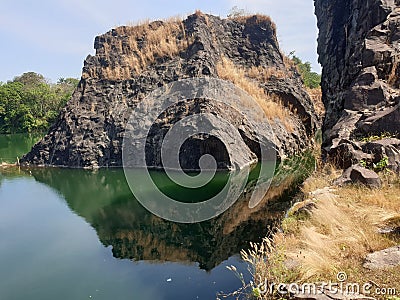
(80, 234)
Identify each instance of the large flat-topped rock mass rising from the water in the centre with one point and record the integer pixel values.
(131, 62)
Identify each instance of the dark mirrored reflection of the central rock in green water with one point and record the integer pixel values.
(105, 201)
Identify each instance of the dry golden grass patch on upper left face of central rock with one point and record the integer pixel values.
(140, 46)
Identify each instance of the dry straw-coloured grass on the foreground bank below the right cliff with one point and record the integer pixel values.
(340, 231)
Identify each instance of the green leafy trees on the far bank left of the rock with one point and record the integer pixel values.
(30, 103)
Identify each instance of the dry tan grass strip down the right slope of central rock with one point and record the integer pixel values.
(271, 104)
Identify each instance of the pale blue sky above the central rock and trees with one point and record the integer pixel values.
(53, 37)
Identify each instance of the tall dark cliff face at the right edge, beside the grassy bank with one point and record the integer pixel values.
(359, 51)
